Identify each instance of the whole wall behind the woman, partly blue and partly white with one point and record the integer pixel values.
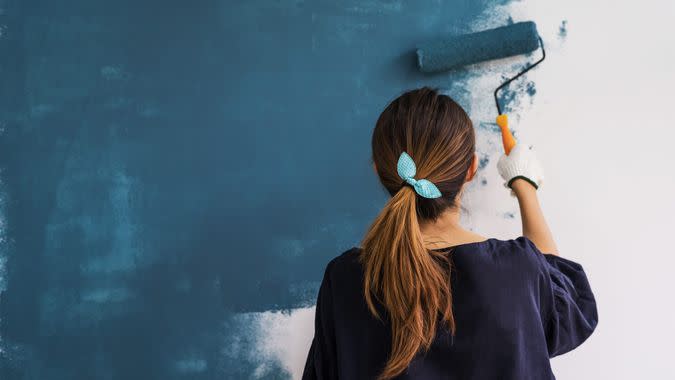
(175, 175)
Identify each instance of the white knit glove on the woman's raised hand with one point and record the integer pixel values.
(521, 162)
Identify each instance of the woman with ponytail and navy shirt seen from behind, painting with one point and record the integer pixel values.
(424, 298)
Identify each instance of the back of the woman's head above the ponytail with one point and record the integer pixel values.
(436, 132)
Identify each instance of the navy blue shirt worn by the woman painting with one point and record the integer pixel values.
(514, 309)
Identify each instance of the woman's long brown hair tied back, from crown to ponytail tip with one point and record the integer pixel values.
(411, 281)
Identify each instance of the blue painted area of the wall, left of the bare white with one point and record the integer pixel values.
(167, 164)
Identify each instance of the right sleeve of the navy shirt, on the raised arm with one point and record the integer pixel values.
(567, 304)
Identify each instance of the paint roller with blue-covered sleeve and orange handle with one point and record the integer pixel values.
(457, 51)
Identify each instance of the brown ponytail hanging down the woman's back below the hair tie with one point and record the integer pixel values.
(412, 283)
